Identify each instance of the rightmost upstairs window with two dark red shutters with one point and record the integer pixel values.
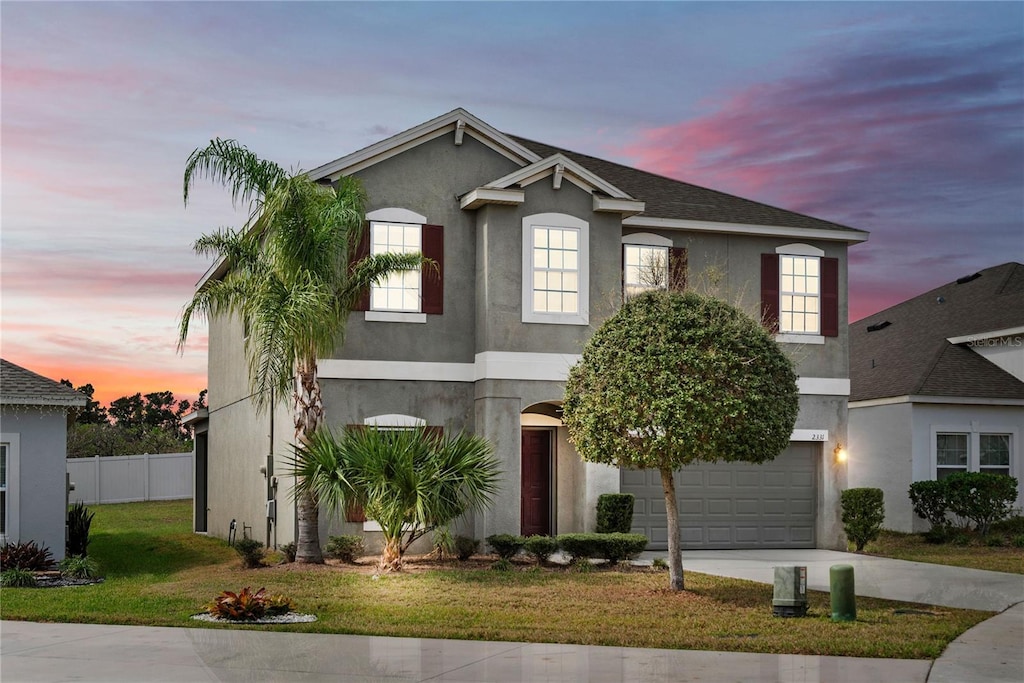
(800, 293)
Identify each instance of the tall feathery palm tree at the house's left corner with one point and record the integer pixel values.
(288, 279)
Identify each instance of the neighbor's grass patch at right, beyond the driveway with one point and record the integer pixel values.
(976, 554)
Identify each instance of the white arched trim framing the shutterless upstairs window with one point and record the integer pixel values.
(564, 222)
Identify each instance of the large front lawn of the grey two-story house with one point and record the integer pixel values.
(159, 574)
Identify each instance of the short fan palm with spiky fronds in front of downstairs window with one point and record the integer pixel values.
(411, 482)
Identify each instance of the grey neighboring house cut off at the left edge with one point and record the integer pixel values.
(35, 413)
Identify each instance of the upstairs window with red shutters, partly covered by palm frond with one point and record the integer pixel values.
(412, 295)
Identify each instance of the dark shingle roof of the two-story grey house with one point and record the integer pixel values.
(666, 198)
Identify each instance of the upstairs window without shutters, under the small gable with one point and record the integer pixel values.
(556, 270)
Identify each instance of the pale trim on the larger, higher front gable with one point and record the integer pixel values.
(457, 122)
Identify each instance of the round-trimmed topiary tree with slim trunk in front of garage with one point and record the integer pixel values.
(674, 379)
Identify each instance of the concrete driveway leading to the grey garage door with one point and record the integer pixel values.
(874, 577)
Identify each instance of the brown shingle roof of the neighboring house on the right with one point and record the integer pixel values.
(913, 357)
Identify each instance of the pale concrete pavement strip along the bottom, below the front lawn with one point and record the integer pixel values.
(56, 653)
